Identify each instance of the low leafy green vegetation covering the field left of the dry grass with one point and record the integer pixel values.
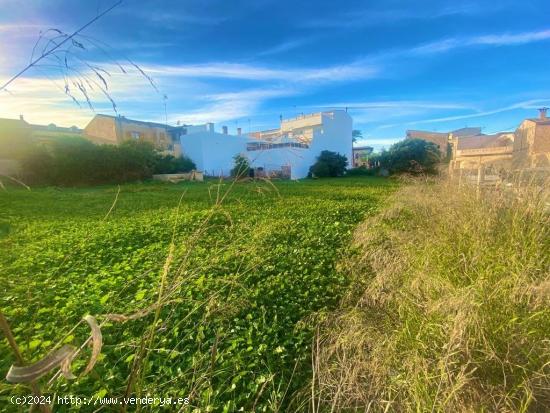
(248, 279)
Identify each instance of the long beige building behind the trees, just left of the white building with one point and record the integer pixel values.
(105, 129)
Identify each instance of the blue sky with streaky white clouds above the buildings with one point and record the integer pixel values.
(395, 65)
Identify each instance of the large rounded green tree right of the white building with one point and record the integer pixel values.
(411, 156)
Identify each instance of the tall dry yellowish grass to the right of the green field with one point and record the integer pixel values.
(449, 308)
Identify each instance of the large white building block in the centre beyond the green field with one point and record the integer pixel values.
(291, 149)
